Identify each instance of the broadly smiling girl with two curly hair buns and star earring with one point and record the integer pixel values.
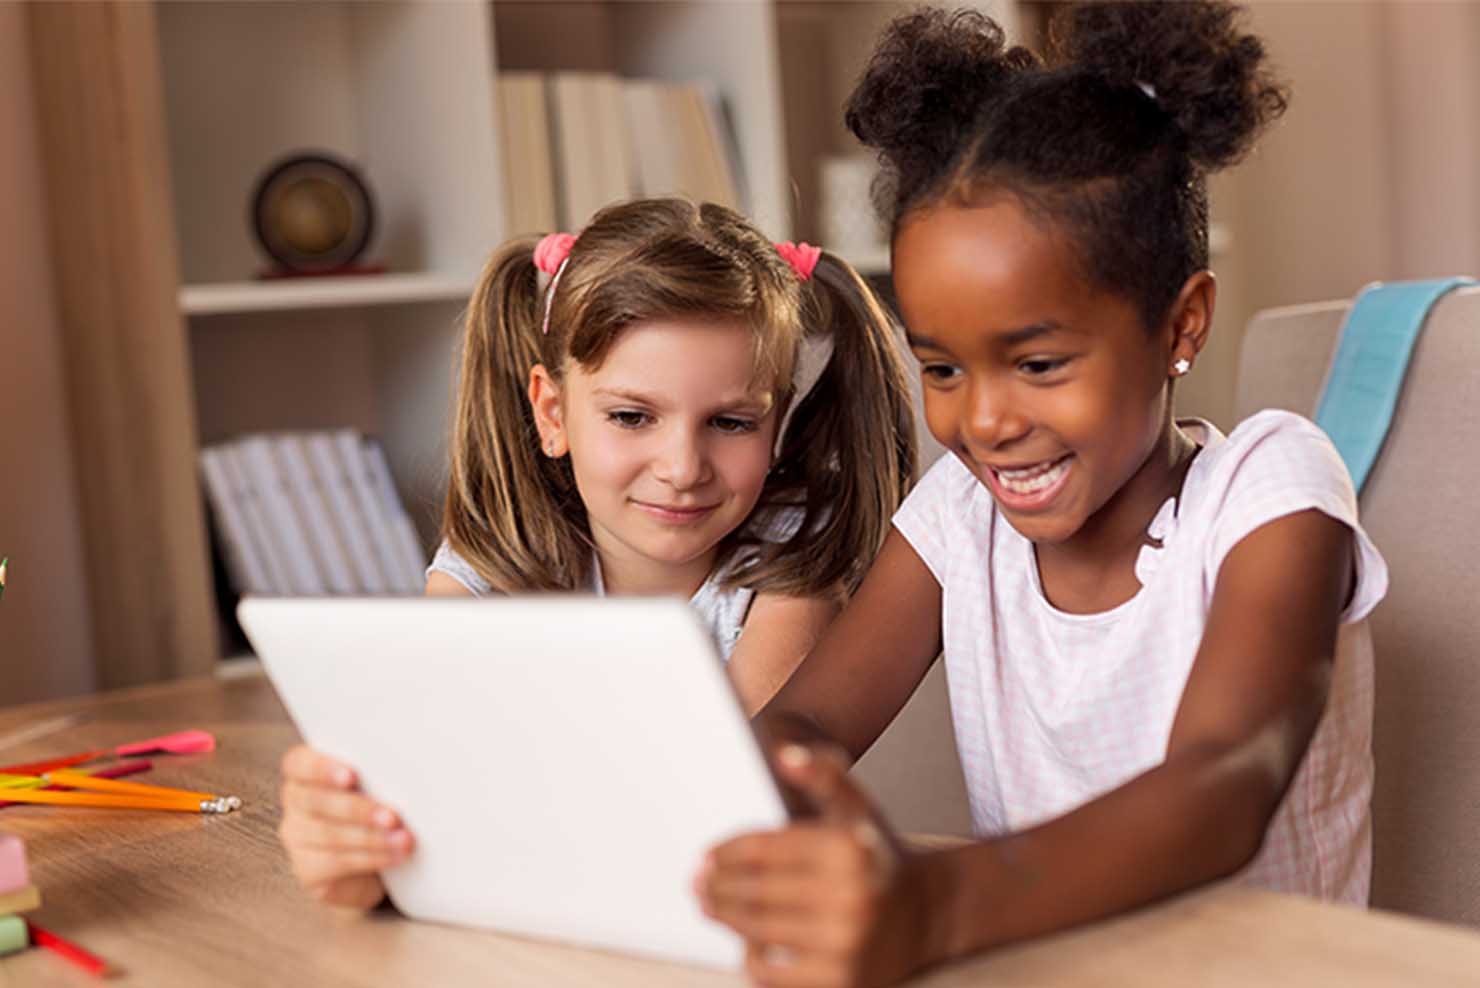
(1139, 615)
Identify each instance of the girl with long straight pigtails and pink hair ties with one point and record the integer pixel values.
(664, 405)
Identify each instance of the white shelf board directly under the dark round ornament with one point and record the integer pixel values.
(322, 294)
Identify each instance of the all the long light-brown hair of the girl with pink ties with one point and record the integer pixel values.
(846, 461)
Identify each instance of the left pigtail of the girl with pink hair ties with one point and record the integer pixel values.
(511, 512)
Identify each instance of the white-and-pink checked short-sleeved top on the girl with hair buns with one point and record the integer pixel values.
(1054, 709)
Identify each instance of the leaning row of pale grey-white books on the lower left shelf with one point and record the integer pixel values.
(309, 515)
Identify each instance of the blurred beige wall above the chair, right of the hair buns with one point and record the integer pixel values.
(1374, 174)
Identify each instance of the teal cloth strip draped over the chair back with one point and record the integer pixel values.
(1367, 373)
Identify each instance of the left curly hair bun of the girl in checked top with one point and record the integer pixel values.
(930, 76)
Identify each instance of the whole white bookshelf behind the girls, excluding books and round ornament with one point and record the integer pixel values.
(405, 91)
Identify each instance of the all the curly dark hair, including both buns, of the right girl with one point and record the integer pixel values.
(1112, 138)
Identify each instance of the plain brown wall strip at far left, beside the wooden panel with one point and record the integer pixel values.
(45, 625)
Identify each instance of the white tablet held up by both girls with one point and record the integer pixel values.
(565, 762)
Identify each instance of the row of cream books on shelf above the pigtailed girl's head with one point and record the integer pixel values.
(573, 143)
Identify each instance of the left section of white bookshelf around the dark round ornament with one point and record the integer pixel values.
(405, 94)
